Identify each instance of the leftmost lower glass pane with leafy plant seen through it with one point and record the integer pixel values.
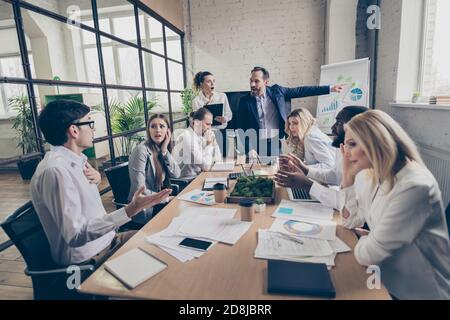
(15, 106)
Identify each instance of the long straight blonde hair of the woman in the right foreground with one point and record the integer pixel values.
(387, 146)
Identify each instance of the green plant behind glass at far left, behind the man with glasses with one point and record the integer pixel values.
(23, 123)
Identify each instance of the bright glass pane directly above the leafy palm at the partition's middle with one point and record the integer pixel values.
(121, 64)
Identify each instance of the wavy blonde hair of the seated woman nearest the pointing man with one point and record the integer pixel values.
(306, 122)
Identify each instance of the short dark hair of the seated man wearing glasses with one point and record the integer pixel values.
(57, 116)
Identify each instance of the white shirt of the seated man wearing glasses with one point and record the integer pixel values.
(70, 208)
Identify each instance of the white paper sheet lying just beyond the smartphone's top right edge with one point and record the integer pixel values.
(224, 230)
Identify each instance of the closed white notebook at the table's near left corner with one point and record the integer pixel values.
(134, 267)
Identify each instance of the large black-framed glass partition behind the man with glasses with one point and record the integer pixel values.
(118, 57)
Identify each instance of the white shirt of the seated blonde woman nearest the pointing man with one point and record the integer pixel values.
(318, 150)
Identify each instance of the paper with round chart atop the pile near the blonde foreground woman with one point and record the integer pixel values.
(308, 228)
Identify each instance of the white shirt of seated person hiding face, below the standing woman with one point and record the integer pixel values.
(194, 155)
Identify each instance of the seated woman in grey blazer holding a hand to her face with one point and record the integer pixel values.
(151, 163)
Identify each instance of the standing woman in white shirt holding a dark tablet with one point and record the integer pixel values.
(205, 84)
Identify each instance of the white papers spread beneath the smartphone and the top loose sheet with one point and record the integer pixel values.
(169, 238)
